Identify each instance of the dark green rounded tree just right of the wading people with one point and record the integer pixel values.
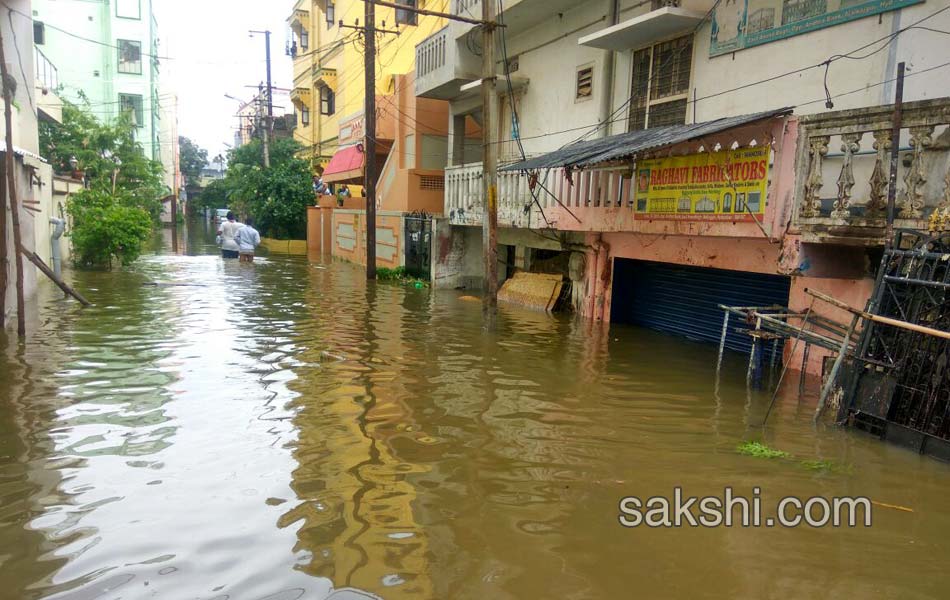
(276, 197)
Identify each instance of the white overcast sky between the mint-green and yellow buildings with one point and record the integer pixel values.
(211, 54)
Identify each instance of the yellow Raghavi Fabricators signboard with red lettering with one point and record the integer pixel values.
(718, 186)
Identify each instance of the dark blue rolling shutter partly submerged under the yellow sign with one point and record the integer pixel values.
(685, 300)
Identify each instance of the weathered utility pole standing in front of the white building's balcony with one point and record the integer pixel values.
(489, 163)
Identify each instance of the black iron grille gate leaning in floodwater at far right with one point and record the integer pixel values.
(900, 385)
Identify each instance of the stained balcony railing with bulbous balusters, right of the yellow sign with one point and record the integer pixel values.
(844, 171)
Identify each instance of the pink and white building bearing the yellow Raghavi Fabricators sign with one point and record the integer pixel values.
(640, 225)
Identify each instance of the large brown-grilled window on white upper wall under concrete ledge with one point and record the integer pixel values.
(660, 84)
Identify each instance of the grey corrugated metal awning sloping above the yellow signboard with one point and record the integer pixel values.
(626, 145)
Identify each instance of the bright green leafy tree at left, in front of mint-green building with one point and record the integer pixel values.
(113, 216)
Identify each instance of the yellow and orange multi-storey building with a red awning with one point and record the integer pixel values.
(411, 132)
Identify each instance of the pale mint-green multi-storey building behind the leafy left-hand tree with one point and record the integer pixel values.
(108, 54)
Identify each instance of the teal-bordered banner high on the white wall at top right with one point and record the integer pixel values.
(739, 24)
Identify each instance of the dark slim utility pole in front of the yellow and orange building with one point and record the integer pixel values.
(369, 145)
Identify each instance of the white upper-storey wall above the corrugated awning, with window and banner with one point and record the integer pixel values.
(572, 68)
